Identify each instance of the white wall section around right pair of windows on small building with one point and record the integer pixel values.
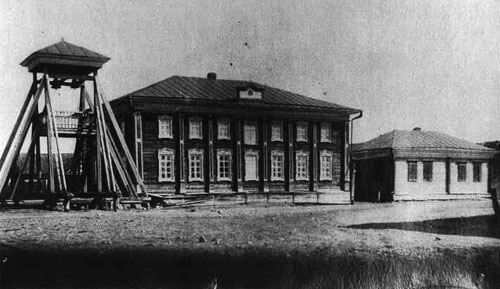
(469, 186)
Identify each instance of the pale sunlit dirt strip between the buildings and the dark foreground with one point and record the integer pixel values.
(422, 229)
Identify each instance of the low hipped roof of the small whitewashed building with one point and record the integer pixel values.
(434, 143)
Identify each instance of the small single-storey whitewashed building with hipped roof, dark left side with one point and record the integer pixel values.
(408, 165)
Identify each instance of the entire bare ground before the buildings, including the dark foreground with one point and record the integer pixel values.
(412, 244)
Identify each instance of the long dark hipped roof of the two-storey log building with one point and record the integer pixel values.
(196, 88)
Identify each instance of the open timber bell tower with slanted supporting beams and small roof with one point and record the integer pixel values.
(101, 166)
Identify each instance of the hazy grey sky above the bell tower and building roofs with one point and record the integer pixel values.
(431, 64)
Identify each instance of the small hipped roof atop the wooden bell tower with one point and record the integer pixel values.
(64, 53)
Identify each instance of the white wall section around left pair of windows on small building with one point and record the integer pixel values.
(420, 187)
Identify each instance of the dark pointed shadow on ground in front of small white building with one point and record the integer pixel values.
(479, 226)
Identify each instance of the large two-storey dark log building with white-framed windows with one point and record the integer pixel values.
(207, 135)
